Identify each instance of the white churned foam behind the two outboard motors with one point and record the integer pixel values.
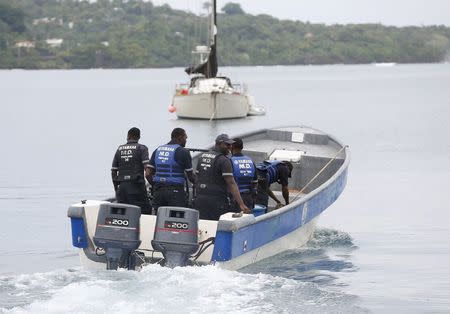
(161, 290)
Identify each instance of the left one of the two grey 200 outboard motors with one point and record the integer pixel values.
(117, 233)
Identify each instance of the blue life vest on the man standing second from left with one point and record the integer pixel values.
(168, 171)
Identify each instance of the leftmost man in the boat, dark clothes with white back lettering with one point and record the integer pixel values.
(129, 166)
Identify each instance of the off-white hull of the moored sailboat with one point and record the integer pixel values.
(211, 106)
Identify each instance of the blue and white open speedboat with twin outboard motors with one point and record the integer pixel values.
(111, 235)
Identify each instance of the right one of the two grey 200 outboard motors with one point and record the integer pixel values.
(176, 234)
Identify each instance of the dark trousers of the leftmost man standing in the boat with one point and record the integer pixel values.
(134, 193)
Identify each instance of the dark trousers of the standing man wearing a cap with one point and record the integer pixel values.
(211, 207)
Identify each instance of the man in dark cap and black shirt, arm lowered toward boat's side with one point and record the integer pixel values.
(215, 182)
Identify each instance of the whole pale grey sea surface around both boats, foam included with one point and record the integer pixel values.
(383, 247)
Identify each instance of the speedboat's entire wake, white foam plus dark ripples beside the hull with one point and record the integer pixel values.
(289, 285)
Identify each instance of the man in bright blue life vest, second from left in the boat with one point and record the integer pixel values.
(169, 164)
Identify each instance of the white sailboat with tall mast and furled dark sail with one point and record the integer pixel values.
(208, 96)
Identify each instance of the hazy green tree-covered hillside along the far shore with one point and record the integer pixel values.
(42, 34)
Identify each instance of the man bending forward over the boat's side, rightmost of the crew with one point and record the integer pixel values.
(270, 172)
